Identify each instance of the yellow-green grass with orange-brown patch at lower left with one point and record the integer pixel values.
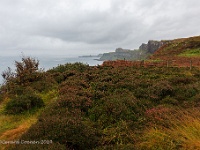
(13, 126)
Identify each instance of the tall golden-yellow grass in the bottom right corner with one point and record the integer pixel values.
(180, 130)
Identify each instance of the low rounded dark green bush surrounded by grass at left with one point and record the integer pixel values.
(22, 103)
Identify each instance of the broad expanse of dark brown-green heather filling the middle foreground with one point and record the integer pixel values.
(111, 108)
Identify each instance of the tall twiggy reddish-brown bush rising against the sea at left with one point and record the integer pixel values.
(27, 74)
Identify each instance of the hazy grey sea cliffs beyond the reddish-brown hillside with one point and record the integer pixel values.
(142, 53)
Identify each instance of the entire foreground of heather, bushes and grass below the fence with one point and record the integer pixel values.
(80, 107)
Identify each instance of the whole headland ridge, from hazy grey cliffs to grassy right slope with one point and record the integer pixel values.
(165, 49)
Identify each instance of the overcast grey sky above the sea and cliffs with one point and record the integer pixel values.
(77, 27)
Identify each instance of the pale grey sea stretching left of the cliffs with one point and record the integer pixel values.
(47, 62)
